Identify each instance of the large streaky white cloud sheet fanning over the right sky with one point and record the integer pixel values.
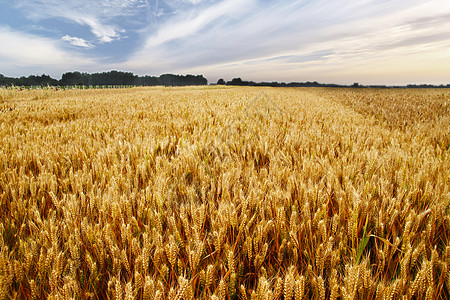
(242, 39)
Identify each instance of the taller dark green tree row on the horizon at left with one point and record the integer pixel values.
(104, 78)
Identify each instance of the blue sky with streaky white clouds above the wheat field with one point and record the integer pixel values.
(329, 41)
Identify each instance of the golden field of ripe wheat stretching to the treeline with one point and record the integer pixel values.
(225, 193)
